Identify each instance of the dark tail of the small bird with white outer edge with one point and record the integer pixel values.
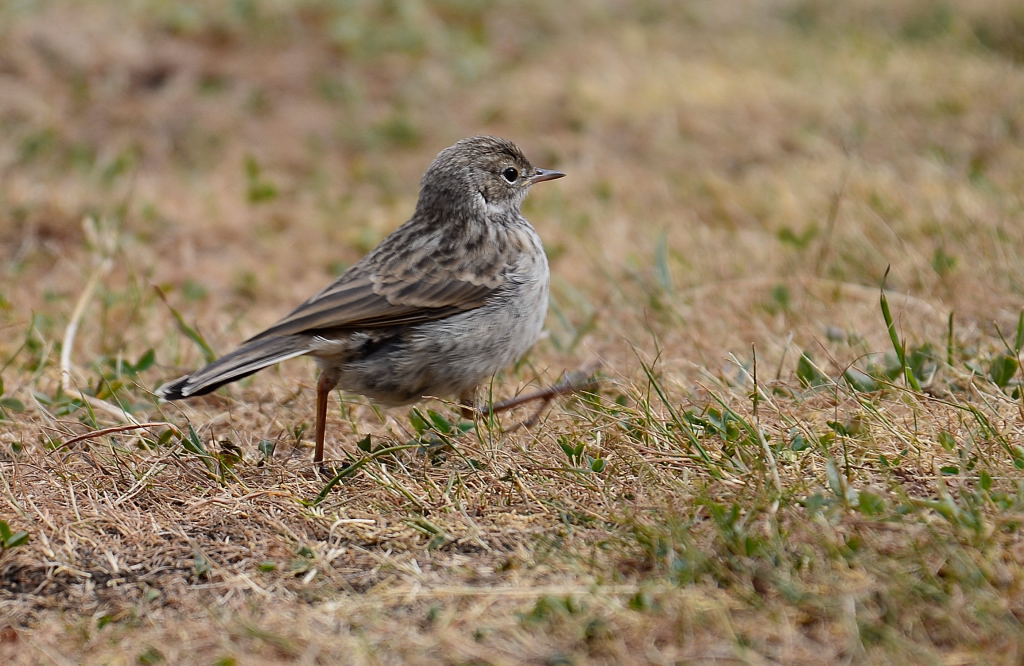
(251, 357)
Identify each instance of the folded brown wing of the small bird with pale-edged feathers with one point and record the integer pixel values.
(362, 300)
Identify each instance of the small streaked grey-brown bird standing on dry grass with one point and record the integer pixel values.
(452, 297)
